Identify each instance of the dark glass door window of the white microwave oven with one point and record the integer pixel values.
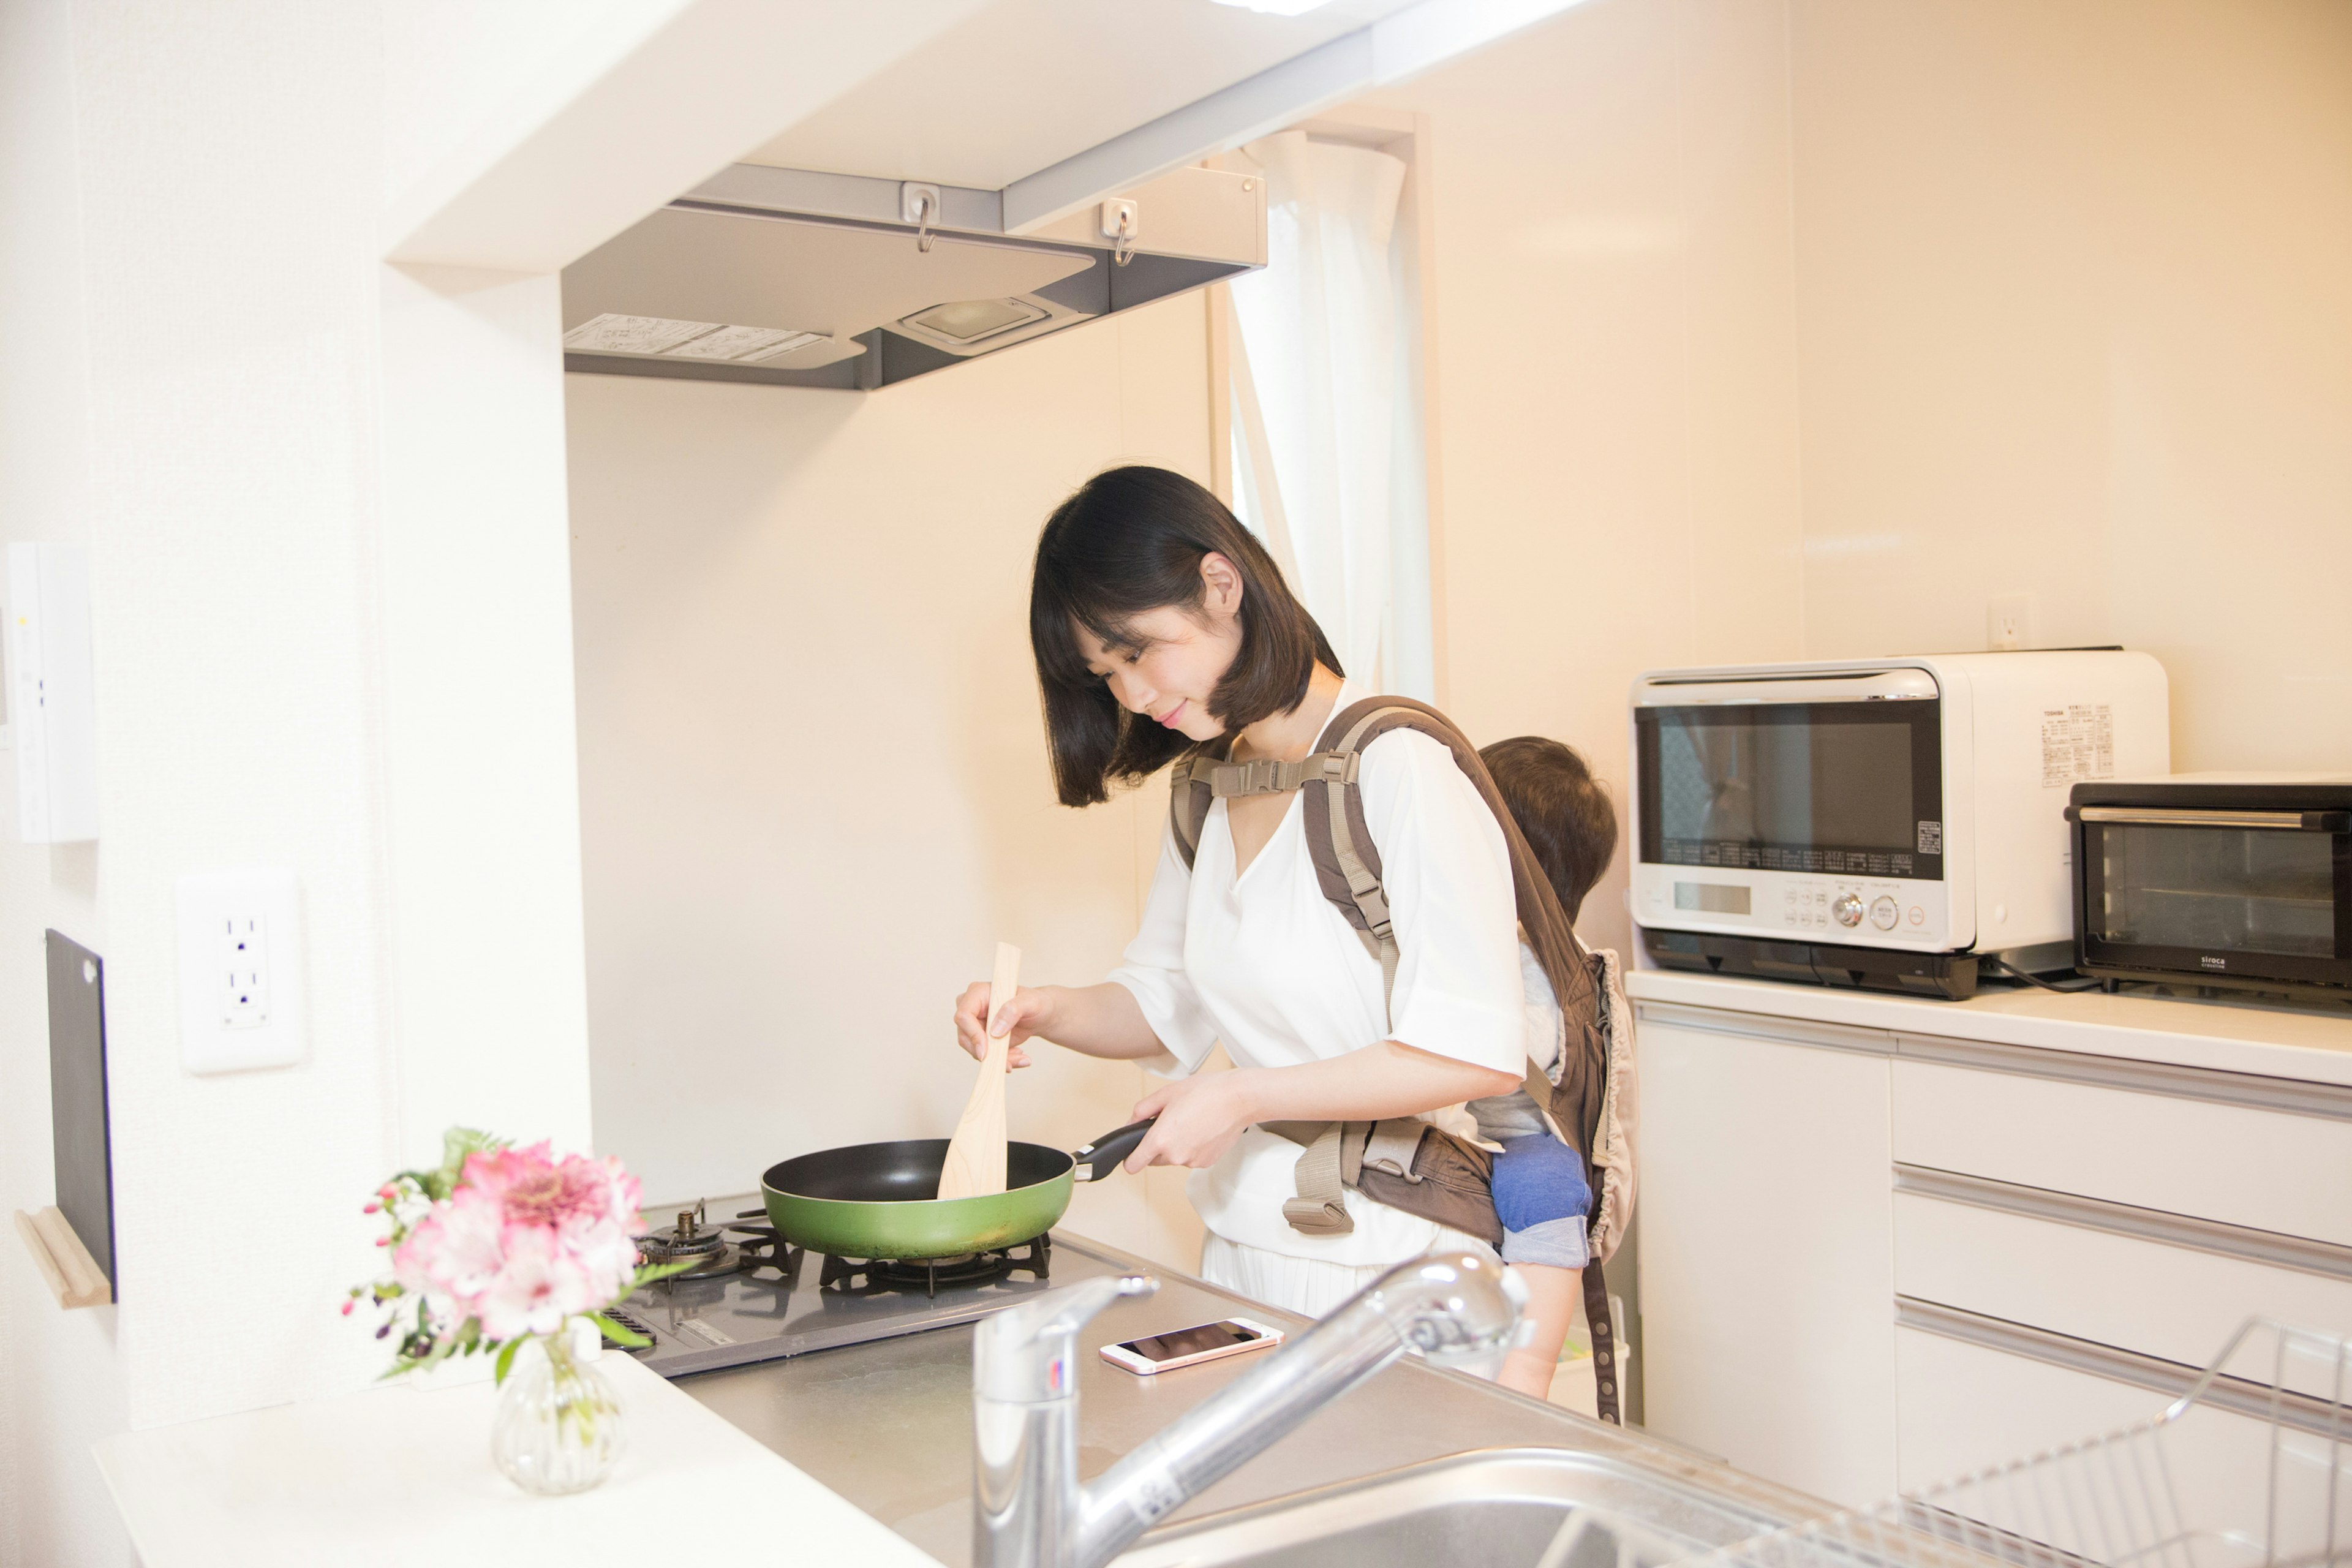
(1843, 789)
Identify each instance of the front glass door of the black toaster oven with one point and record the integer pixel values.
(2217, 897)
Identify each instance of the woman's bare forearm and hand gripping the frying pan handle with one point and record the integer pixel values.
(1205, 1115)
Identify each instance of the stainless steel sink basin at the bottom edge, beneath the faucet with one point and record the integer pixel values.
(1497, 1508)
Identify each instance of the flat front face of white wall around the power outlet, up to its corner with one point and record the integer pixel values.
(194, 377)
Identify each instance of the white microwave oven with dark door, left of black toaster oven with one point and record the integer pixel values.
(1876, 822)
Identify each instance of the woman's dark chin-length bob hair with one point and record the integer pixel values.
(1130, 542)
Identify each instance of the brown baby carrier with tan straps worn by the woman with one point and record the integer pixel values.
(1408, 1162)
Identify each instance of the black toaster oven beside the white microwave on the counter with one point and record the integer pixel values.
(2217, 880)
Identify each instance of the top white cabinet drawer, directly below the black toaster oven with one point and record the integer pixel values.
(2221, 1162)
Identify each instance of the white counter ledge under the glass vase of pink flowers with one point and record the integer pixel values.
(399, 1475)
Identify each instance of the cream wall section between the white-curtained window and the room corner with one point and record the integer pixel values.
(1617, 368)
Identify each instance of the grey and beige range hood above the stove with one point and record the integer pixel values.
(834, 281)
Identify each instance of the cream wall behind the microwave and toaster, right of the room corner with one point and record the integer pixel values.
(2076, 297)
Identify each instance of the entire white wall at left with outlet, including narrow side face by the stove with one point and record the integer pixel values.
(333, 634)
